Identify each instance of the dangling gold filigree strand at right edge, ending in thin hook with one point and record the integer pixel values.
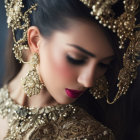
(130, 63)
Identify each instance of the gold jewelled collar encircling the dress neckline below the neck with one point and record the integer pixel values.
(21, 119)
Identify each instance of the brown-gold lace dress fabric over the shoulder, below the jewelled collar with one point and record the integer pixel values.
(78, 126)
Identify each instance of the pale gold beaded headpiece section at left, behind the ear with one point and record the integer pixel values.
(18, 21)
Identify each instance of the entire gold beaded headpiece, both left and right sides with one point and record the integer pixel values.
(124, 26)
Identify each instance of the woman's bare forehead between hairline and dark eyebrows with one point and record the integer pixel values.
(86, 34)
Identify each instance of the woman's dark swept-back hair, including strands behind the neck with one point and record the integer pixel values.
(52, 15)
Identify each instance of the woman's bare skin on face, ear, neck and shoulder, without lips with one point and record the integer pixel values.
(72, 58)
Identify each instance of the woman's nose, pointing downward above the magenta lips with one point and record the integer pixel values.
(87, 76)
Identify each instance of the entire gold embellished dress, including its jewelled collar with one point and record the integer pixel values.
(60, 122)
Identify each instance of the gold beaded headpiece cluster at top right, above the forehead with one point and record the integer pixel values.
(123, 25)
